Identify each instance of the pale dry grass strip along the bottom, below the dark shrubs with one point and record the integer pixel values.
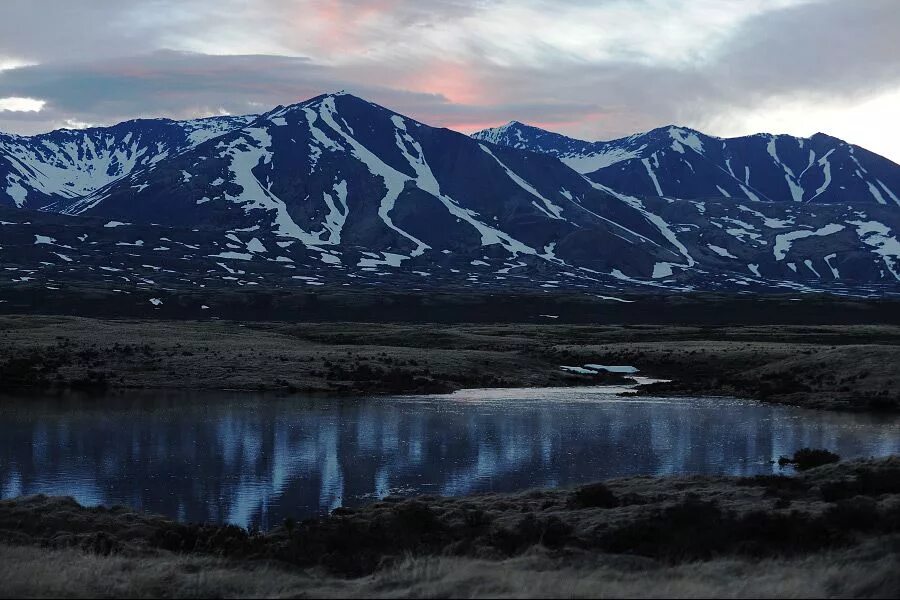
(869, 571)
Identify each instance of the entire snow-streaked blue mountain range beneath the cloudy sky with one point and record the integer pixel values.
(340, 191)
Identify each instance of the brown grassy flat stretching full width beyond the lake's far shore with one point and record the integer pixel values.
(844, 367)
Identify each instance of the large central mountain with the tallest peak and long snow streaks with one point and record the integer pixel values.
(361, 184)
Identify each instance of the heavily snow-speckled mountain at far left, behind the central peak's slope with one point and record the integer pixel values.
(70, 163)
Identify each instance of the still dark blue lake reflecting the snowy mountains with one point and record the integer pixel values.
(254, 459)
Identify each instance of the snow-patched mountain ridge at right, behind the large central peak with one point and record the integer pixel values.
(683, 163)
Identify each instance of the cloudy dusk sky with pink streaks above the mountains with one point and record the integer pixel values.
(592, 69)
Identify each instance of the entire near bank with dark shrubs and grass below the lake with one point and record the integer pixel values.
(830, 531)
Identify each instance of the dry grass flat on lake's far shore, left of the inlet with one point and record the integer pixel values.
(340, 358)
